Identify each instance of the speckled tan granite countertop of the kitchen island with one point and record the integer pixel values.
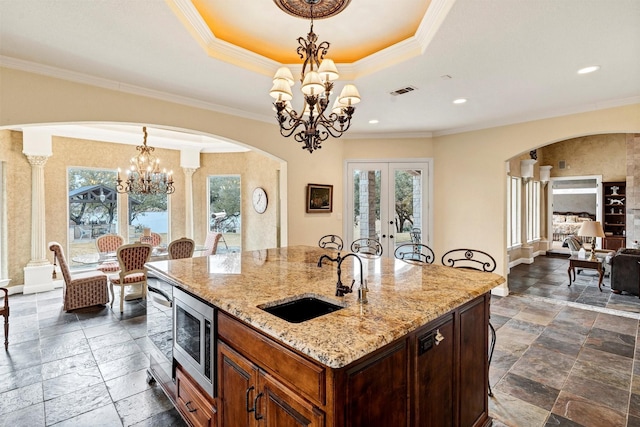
(402, 297)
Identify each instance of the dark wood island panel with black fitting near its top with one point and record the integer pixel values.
(434, 382)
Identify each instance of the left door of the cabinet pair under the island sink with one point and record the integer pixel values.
(237, 379)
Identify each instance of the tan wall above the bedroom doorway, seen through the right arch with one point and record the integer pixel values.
(604, 155)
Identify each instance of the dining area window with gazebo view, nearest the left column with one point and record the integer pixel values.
(93, 208)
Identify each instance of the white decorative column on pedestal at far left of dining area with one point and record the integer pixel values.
(37, 273)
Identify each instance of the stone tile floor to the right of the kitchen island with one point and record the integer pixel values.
(565, 356)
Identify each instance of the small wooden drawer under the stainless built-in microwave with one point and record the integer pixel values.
(192, 404)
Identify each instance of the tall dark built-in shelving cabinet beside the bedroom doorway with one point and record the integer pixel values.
(614, 214)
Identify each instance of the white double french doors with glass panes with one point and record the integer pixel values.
(389, 202)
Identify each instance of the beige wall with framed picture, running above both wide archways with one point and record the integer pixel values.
(469, 190)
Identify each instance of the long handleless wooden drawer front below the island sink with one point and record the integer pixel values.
(287, 366)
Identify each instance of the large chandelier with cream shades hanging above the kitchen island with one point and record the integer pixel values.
(316, 122)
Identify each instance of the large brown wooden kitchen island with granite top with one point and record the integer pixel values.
(415, 354)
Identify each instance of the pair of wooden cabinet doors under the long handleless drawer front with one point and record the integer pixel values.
(251, 397)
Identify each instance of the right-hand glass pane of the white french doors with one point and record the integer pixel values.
(408, 206)
